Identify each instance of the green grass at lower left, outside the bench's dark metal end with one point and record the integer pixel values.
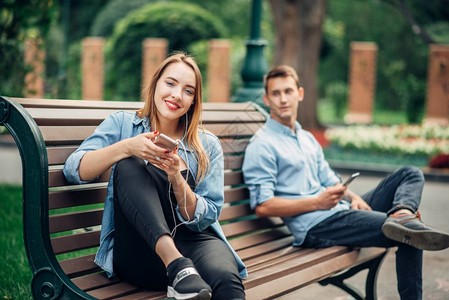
(15, 273)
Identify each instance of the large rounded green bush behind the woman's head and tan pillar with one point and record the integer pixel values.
(180, 23)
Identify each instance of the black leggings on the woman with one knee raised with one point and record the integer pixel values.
(142, 214)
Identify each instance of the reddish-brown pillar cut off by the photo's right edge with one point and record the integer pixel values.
(437, 110)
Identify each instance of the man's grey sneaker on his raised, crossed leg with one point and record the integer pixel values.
(410, 230)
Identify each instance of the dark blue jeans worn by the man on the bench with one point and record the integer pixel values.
(362, 228)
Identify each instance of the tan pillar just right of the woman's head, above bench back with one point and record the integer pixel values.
(219, 71)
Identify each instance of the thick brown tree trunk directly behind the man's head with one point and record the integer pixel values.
(298, 40)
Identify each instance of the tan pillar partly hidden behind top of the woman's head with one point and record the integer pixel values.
(154, 52)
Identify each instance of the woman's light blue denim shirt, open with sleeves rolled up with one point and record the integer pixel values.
(209, 192)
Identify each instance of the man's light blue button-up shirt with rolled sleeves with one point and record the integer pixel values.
(280, 163)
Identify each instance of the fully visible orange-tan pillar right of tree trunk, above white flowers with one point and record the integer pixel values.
(362, 81)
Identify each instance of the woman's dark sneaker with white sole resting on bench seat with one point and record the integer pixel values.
(188, 284)
